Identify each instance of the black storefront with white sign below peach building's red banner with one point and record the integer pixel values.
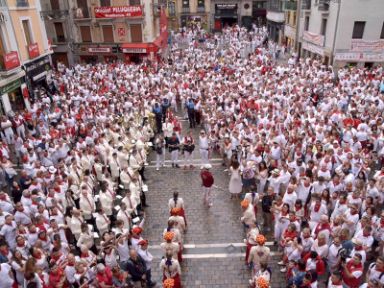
(37, 71)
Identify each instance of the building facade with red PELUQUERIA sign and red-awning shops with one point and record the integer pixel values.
(104, 30)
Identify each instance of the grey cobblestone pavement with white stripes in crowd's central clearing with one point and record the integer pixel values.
(209, 258)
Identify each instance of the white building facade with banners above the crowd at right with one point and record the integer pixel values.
(343, 32)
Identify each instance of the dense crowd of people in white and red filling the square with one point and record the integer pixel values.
(303, 144)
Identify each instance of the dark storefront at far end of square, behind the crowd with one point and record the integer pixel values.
(226, 14)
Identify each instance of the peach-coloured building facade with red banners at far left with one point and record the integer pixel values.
(25, 54)
